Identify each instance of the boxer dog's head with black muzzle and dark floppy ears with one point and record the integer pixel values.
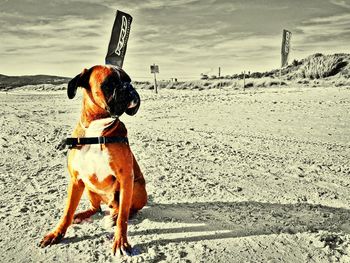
(108, 88)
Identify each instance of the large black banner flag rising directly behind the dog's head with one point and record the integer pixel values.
(119, 39)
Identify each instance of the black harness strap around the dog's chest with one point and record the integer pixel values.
(74, 142)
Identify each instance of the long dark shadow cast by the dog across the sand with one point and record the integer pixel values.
(219, 220)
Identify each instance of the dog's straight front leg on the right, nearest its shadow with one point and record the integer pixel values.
(120, 244)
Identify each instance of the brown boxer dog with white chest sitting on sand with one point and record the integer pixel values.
(108, 172)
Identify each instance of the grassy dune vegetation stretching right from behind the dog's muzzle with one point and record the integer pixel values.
(314, 70)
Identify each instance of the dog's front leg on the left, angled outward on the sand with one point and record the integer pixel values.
(75, 191)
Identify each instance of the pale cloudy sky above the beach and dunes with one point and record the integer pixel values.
(184, 37)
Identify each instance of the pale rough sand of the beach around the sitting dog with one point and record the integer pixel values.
(255, 176)
